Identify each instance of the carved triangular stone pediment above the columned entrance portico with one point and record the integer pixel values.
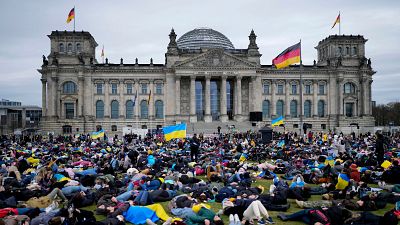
(215, 58)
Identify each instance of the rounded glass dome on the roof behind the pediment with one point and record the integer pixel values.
(204, 38)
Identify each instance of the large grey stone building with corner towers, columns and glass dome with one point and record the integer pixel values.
(204, 79)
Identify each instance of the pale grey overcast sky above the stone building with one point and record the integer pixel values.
(133, 28)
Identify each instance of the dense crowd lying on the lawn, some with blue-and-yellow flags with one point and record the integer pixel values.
(67, 180)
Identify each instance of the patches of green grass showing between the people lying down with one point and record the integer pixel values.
(265, 183)
